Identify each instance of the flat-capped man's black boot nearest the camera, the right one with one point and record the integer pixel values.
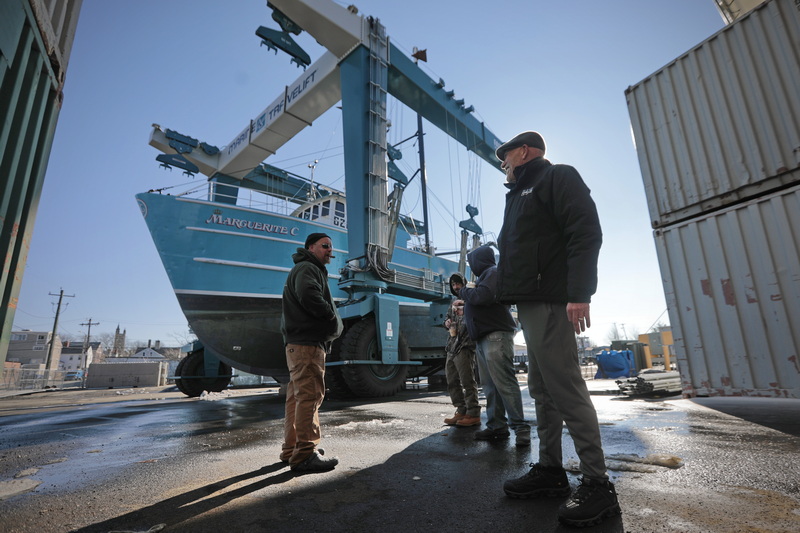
(591, 502)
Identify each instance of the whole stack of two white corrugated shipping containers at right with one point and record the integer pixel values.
(717, 132)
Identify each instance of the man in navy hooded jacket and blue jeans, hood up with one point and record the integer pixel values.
(492, 327)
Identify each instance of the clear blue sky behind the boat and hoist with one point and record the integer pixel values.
(560, 68)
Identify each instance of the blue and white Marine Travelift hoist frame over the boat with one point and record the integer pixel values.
(360, 68)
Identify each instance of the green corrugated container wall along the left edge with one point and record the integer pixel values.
(35, 42)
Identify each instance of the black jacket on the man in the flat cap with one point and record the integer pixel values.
(551, 237)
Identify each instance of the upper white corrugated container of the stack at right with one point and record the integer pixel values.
(721, 123)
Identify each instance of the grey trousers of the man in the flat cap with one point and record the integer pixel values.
(558, 389)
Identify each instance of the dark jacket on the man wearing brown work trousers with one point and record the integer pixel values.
(309, 314)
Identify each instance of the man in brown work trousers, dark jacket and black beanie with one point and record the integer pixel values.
(309, 324)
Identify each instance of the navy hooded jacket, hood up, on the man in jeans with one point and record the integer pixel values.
(482, 313)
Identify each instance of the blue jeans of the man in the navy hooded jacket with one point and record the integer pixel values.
(499, 380)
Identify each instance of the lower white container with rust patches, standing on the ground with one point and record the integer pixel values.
(732, 284)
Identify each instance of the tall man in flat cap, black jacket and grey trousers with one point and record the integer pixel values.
(549, 245)
